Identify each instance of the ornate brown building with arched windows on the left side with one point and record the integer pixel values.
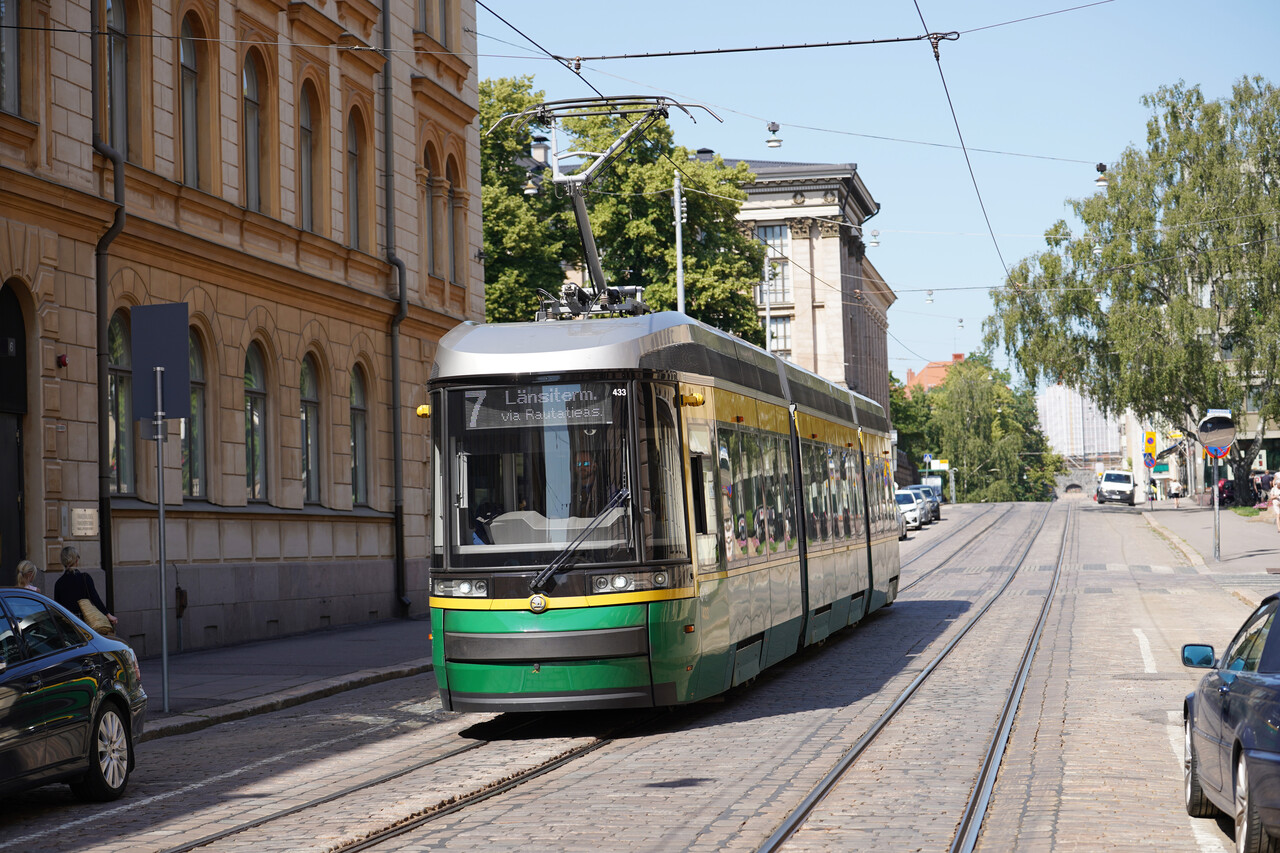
(305, 177)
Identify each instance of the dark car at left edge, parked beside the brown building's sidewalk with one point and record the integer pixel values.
(71, 701)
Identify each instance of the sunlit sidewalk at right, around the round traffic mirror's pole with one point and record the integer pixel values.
(1246, 546)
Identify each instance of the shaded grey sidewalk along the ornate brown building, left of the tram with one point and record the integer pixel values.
(222, 685)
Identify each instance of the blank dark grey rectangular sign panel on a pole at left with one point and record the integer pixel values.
(159, 336)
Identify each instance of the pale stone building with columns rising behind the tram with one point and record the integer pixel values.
(825, 303)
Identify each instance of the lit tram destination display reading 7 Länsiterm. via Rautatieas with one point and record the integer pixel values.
(520, 407)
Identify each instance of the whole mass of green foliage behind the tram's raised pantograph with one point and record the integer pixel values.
(528, 239)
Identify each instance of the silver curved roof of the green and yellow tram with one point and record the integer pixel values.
(666, 340)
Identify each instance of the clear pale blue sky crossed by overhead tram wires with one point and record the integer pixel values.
(1058, 94)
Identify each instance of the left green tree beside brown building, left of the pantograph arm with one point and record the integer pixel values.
(527, 239)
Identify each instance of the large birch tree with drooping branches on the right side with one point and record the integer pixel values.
(1169, 302)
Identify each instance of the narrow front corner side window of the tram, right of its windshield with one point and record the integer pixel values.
(662, 501)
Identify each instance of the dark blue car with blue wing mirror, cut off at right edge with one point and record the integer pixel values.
(1232, 741)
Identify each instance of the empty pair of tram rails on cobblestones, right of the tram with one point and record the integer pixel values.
(971, 823)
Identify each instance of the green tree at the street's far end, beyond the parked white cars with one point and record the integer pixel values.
(991, 436)
